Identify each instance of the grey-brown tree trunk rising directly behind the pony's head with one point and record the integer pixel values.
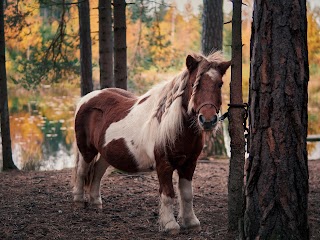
(212, 24)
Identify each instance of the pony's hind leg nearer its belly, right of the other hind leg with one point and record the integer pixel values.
(99, 169)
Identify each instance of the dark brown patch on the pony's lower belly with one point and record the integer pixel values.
(118, 155)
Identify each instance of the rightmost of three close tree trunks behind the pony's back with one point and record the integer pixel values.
(120, 45)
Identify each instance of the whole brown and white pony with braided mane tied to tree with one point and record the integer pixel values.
(162, 129)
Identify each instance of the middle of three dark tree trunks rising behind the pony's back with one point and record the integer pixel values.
(105, 44)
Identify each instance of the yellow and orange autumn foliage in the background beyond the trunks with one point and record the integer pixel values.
(159, 36)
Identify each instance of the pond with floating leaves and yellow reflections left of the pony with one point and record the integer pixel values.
(41, 124)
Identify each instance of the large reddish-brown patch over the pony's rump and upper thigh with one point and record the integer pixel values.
(95, 116)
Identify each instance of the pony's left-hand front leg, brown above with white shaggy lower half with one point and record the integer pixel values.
(167, 220)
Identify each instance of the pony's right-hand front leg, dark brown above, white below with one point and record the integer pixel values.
(187, 217)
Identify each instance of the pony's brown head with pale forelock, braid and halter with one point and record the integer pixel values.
(204, 87)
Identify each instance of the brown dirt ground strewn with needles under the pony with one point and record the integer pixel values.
(38, 205)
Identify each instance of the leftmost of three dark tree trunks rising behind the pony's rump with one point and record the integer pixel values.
(85, 47)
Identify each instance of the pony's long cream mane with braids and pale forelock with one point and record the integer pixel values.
(168, 111)
